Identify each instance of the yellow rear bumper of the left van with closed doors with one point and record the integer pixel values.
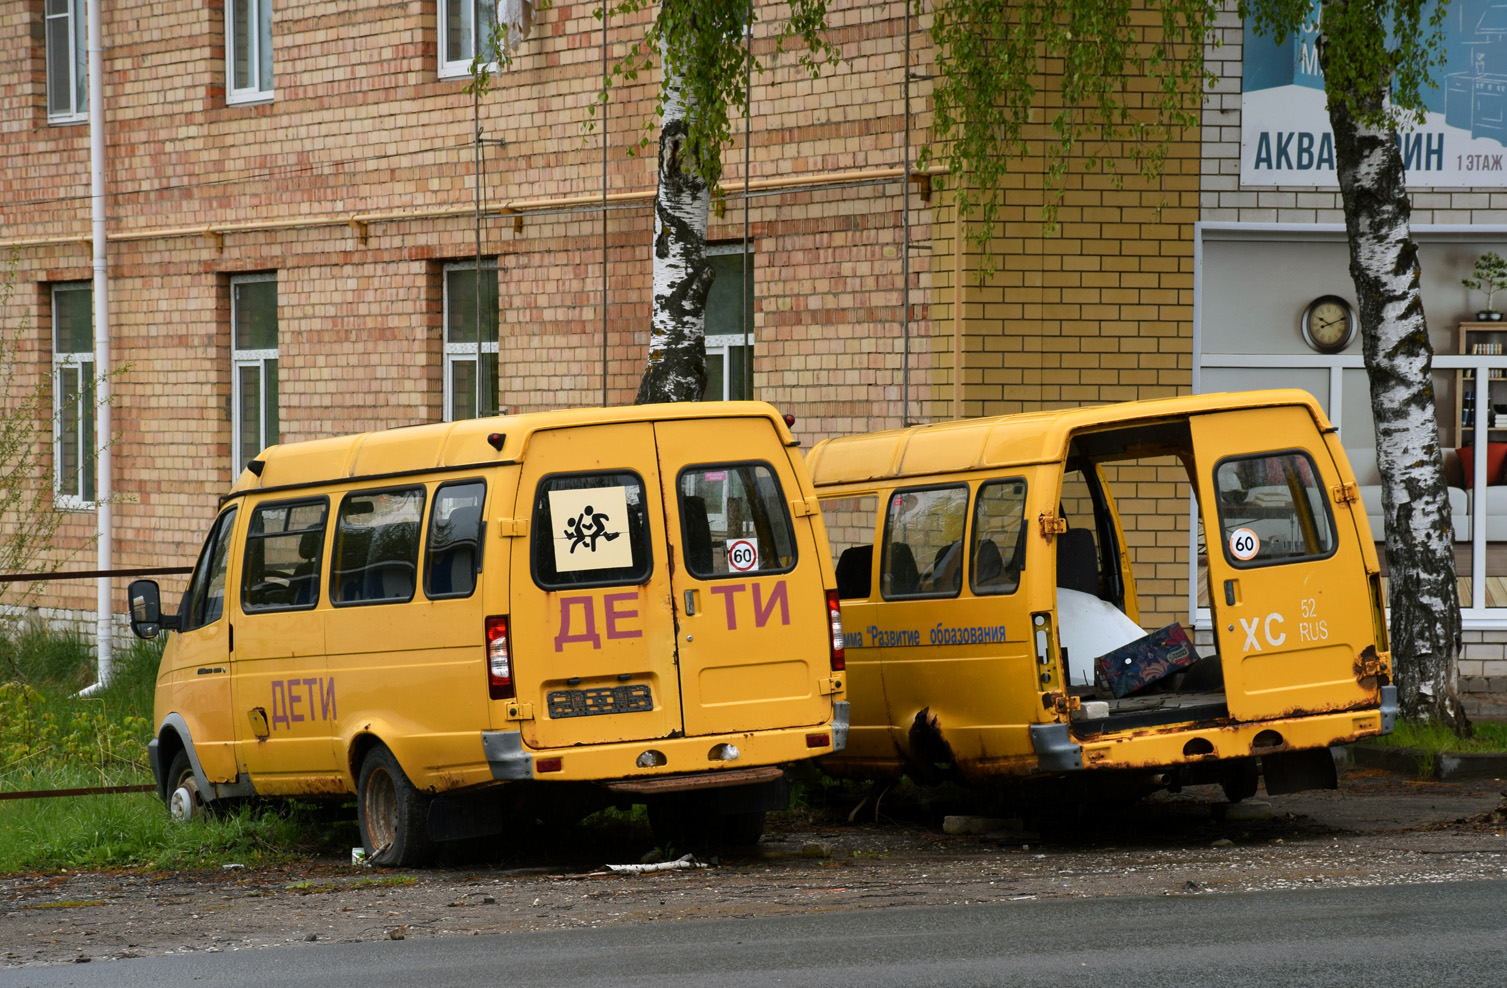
(510, 760)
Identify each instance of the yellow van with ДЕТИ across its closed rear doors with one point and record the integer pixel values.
(536, 615)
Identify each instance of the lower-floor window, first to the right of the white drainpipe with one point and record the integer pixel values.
(254, 356)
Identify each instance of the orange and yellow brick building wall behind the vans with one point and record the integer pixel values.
(293, 243)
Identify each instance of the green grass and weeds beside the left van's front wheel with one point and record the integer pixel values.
(52, 739)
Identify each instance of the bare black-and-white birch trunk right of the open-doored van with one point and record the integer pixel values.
(1395, 338)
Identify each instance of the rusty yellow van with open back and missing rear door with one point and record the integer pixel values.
(985, 567)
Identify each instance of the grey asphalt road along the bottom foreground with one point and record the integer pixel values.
(1431, 935)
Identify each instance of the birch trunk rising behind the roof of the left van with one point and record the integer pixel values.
(677, 361)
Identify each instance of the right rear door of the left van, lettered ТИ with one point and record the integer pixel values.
(756, 638)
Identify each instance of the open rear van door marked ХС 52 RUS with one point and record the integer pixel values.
(1286, 573)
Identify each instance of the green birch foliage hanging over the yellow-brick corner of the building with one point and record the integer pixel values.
(1131, 75)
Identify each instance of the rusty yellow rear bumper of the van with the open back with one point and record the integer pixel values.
(1181, 746)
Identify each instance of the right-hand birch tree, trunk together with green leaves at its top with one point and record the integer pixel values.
(1378, 56)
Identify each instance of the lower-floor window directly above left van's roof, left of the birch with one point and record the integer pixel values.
(463, 392)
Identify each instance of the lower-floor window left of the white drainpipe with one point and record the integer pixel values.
(75, 394)
